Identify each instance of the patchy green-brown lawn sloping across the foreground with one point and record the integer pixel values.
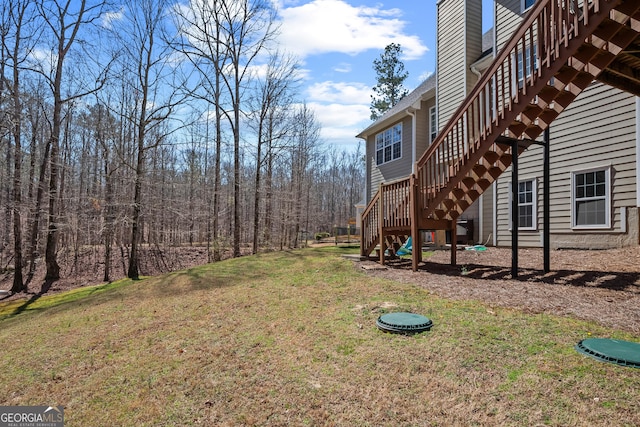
(289, 338)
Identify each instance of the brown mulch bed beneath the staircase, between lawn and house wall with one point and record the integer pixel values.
(597, 285)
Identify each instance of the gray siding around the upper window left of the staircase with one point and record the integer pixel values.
(395, 169)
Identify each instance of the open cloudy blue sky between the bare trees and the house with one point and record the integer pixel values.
(337, 42)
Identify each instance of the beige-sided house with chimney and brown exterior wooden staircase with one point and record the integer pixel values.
(443, 155)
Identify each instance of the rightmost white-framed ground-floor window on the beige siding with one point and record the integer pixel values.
(591, 199)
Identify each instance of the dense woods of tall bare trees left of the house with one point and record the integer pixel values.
(143, 122)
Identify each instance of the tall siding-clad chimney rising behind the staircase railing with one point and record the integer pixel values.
(459, 30)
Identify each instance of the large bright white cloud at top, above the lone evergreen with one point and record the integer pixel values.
(323, 26)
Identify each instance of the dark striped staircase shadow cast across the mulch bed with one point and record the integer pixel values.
(611, 280)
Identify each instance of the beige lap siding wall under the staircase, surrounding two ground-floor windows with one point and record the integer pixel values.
(597, 130)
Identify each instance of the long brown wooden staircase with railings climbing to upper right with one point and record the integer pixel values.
(567, 44)
